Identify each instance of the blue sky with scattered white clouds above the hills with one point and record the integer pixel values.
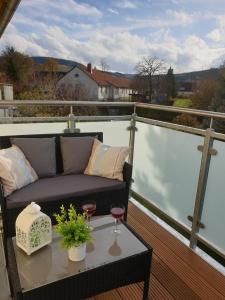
(187, 34)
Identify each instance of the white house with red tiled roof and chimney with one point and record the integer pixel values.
(99, 85)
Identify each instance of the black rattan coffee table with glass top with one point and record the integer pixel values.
(112, 260)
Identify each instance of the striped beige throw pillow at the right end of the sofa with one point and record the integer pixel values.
(106, 161)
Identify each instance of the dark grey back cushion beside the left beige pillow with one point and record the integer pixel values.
(40, 152)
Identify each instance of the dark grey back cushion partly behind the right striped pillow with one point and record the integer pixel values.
(76, 152)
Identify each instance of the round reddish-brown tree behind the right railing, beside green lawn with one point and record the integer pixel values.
(203, 94)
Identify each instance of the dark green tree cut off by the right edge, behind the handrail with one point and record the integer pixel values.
(218, 102)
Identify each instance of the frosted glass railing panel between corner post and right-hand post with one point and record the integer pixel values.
(166, 168)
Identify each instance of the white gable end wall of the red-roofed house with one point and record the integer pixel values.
(77, 76)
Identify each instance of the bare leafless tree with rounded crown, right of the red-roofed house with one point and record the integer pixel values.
(149, 67)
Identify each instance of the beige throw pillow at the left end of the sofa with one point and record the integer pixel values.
(15, 170)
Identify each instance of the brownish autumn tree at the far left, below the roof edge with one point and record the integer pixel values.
(17, 66)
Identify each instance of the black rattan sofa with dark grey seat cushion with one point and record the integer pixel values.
(63, 189)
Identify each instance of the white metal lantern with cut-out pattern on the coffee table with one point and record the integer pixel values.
(33, 229)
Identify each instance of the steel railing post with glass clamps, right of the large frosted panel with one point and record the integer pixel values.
(207, 151)
